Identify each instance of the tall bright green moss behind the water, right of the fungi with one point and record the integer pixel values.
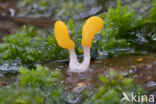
(127, 32)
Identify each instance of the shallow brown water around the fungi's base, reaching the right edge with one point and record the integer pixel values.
(141, 68)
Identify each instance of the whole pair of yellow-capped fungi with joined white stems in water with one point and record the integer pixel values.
(93, 25)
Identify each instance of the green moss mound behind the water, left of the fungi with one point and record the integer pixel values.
(30, 46)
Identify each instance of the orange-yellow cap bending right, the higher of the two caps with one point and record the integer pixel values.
(93, 25)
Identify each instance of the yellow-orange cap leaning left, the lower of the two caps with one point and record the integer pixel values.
(62, 35)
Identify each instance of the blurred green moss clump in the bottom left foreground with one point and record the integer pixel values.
(36, 86)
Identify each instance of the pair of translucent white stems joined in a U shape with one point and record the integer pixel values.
(74, 65)
